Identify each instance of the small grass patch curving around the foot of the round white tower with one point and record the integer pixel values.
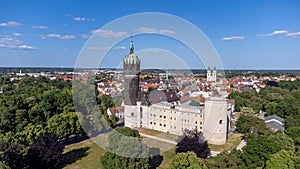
(234, 139)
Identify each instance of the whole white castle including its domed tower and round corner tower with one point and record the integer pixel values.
(162, 111)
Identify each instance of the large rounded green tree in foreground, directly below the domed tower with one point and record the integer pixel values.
(125, 151)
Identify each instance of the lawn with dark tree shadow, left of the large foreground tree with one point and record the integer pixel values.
(83, 155)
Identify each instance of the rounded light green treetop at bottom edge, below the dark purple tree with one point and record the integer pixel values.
(187, 160)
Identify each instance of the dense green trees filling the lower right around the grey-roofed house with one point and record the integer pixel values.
(265, 149)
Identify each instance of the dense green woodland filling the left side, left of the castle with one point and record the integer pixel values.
(38, 117)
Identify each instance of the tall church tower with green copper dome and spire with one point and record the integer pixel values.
(131, 70)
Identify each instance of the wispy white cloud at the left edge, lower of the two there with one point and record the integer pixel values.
(13, 43)
